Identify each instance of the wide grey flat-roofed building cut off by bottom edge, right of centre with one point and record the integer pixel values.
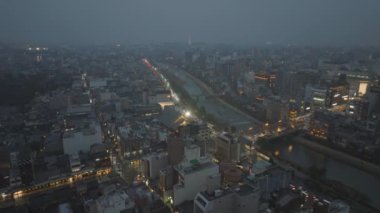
(241, 199)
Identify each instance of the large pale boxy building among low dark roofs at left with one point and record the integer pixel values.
(81, 139)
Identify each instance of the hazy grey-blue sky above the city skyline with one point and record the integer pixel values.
(226, 21)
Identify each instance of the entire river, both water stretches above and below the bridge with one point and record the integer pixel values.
(296, 153)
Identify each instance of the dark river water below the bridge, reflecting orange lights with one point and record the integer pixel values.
(305, 157)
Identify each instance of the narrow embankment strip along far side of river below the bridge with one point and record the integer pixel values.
(340, 156)
